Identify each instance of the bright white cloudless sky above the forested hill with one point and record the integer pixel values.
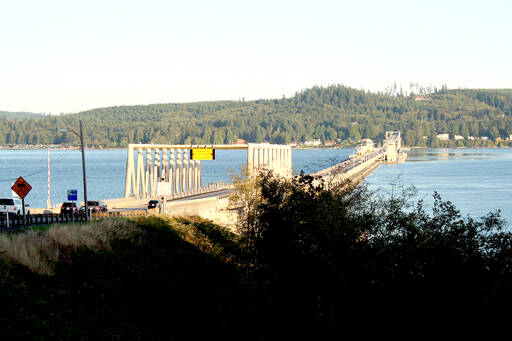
(71, 55)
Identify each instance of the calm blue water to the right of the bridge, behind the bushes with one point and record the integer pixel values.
(477, 181)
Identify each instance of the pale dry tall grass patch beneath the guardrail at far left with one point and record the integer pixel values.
(40, 251)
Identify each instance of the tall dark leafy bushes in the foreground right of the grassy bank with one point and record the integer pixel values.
(340, 262)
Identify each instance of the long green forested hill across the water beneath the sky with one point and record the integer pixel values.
(326, 113)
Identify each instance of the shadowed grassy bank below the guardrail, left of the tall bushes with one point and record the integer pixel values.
(119, 278)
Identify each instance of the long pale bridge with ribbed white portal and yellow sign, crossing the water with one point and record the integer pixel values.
(172, 174)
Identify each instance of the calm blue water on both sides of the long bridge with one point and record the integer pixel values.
(476, 180)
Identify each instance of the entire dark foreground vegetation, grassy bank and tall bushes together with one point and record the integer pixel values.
(309, 260)
